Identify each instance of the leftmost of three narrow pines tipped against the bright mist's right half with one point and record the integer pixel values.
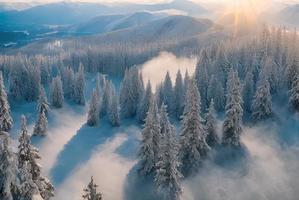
(168, 97)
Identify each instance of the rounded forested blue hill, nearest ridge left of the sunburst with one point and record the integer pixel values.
(168, 28)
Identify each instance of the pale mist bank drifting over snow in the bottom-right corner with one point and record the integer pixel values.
(271, 174)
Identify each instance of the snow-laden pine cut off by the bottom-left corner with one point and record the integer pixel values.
(8, 169)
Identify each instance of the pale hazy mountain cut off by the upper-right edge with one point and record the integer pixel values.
(289, 16)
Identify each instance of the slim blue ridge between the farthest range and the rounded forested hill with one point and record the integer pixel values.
(108, 23)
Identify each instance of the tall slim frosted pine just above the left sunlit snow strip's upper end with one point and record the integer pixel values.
(79, 97)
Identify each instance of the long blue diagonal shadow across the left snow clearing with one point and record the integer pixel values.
(81, 147)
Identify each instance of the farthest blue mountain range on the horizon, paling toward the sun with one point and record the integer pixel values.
(65, 13)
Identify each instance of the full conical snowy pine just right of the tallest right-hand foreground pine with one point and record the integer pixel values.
(262, 102)
